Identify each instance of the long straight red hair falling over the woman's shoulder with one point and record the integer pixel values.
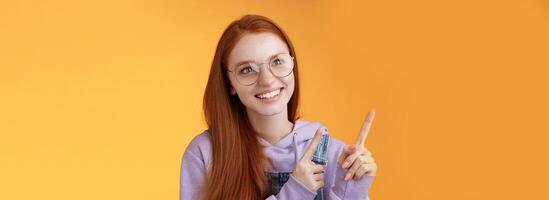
(236, 170)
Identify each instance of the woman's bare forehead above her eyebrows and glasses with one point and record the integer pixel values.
(257, 47)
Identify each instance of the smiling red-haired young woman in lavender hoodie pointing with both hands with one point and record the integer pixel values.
(255, 146)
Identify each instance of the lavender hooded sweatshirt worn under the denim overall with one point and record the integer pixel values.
(282, 156)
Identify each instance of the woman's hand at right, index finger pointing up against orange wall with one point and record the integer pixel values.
(357, 159)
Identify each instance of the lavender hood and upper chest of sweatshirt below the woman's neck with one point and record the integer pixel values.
(283, 155)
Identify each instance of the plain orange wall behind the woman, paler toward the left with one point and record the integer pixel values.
(98, 99)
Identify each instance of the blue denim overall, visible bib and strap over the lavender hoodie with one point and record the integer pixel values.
(276, 180)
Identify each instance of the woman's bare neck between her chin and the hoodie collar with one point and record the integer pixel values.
(271, 128)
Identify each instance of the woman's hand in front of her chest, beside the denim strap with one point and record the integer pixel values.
(306, 171)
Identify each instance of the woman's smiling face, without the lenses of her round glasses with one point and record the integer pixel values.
(269, 95)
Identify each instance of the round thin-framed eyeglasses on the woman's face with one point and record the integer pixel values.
(247, 73)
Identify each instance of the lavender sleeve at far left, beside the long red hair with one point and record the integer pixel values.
(193, 176)
